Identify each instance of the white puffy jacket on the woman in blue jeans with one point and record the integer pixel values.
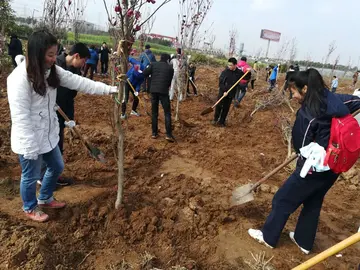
(35, 126)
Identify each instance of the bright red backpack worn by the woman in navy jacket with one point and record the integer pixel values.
(344, 145)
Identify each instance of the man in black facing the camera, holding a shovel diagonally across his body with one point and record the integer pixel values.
(227, 79)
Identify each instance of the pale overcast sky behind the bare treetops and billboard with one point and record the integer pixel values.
(314, 23)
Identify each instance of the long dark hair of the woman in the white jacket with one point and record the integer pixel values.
(39, 42)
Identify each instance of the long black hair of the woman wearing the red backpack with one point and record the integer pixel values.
(314, 98)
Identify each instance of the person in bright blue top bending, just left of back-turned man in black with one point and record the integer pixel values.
(136, 78)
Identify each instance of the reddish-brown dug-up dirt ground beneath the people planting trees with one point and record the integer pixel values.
(176, 212)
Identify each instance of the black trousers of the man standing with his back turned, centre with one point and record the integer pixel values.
(165, 103)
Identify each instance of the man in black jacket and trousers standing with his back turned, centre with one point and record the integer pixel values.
(161, 77)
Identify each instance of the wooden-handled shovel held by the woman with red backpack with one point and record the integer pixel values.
(244, 194)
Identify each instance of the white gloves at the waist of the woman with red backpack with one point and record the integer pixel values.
(315, 156)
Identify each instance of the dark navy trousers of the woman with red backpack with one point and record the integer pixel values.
(296, 191)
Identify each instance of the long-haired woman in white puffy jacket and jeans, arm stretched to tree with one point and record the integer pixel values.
(35, 127)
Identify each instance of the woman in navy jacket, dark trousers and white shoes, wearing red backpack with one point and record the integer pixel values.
(312, 124)
